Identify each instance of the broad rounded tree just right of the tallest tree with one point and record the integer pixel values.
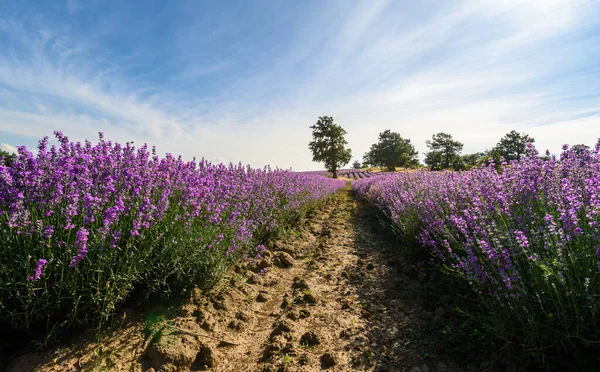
(391, 151)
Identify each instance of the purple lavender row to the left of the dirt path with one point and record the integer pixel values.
(81, 224)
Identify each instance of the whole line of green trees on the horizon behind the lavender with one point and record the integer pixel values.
(392, 150)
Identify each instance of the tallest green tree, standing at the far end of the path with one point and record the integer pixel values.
(329, 145)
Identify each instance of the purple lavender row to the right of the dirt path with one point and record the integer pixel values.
(526, 239)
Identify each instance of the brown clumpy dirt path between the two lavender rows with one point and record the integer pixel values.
(336, 295)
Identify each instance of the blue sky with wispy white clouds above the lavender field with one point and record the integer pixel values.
(244, 80)
